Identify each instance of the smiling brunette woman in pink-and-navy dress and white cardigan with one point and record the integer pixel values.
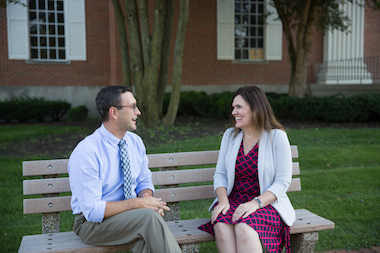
(253, 173)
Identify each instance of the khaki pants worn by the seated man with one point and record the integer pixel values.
(140, 230)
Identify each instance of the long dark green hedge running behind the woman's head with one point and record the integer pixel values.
(338, 108)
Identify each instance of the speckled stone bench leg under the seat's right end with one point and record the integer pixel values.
(304, 243)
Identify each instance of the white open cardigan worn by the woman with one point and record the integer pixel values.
(274, 168)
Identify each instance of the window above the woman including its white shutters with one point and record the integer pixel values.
(243, 34)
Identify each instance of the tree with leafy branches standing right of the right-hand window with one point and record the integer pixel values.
(302, 16)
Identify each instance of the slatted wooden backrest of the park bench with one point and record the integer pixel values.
(54, 179)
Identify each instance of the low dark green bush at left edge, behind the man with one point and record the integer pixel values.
(23, 109)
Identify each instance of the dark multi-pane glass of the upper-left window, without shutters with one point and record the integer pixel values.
(47, 30)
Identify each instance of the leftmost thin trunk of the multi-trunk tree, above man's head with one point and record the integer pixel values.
(126, 68)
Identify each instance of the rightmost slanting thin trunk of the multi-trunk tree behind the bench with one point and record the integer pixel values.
(177, 64)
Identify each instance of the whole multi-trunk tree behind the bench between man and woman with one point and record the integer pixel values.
(145, 59)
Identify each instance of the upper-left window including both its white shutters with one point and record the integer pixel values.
(47, 30)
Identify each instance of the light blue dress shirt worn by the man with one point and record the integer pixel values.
(95, 172)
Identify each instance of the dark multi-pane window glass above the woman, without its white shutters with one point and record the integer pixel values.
(249, 30)
